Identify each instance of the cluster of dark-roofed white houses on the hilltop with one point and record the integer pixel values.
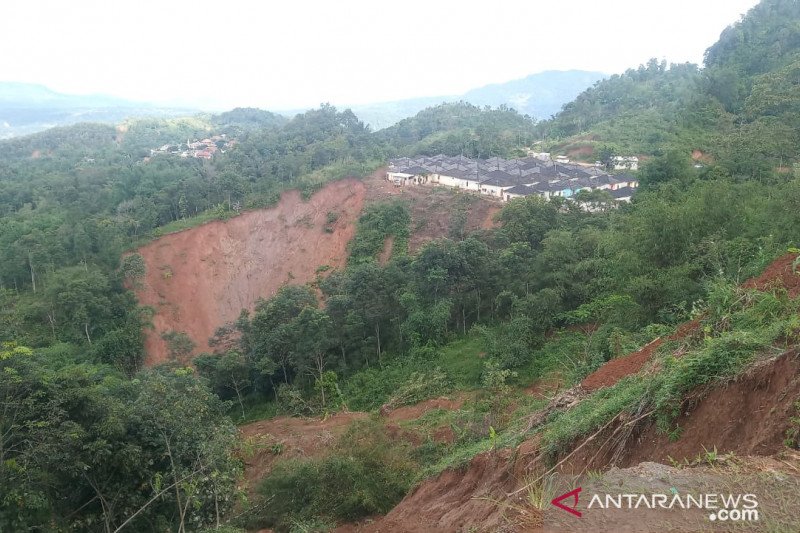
(509, 178)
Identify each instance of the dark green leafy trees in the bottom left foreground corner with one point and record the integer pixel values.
(83, 448)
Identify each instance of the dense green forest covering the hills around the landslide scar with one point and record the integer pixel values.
(91, 441)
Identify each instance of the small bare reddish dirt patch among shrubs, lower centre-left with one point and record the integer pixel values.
(286, 437)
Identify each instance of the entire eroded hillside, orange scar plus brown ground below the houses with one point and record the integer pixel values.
(200, 279)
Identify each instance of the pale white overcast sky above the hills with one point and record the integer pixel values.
(298, 53)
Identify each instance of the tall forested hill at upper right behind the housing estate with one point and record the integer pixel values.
(740, 108)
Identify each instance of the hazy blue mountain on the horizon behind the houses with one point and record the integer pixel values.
(539, 95)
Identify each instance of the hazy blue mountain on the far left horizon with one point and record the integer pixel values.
(27, 108)
